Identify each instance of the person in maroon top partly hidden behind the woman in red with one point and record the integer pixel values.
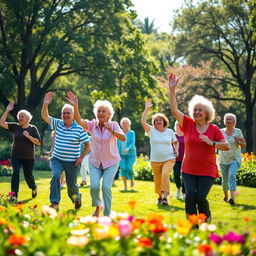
(177, 167)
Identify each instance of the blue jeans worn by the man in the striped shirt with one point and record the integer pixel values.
(71, 172)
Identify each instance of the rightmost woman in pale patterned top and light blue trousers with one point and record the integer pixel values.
(230, 161)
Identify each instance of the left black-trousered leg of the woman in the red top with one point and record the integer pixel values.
(190, 182)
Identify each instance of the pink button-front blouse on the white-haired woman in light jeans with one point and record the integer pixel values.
(103, 144)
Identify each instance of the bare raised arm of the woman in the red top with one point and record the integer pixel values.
(178, 115)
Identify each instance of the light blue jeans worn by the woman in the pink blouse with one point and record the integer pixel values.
(107, 176)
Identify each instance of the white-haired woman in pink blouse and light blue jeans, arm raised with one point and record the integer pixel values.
(104, 157)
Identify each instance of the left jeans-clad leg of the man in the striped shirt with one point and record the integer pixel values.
(57, 169)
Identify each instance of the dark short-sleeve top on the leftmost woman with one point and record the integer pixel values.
(22, 147)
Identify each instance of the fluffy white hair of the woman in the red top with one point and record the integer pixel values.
(207, 104)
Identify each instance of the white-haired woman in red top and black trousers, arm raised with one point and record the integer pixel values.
(199, 168)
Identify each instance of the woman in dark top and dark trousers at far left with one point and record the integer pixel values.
(25, 137)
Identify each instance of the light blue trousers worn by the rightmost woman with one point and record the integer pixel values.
(228, 172)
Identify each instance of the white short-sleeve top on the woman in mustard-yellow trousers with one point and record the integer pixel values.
(161, 148)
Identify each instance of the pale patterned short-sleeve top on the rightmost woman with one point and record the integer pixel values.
(234, 152)
